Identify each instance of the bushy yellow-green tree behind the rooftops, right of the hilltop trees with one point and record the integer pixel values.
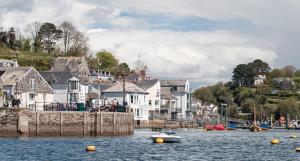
(107, 60)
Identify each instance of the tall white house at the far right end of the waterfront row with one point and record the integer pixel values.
(181, 90)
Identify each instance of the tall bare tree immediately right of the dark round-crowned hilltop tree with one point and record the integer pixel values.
(68, 31)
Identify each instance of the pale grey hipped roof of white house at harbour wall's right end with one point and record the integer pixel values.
(129, 87)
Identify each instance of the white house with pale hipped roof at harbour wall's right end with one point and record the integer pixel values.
(135, 97)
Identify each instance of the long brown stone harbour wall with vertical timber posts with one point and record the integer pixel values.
(66, 123)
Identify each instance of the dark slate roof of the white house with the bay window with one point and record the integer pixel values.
(57, 77)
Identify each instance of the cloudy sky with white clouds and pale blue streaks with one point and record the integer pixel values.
(199, 40)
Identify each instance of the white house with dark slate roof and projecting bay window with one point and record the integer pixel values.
(67, 87)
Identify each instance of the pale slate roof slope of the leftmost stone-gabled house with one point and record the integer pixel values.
(11, 75)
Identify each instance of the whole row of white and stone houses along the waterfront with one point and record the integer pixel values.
(70, 81)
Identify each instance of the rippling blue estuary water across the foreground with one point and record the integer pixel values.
(195, 145)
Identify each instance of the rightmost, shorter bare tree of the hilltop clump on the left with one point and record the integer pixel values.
(79, 44)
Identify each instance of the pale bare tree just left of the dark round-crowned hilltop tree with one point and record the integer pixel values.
(34, 28)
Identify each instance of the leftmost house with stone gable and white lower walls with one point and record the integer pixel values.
(25, 86)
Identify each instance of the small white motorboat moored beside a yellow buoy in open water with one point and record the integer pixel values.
(165, 138)
